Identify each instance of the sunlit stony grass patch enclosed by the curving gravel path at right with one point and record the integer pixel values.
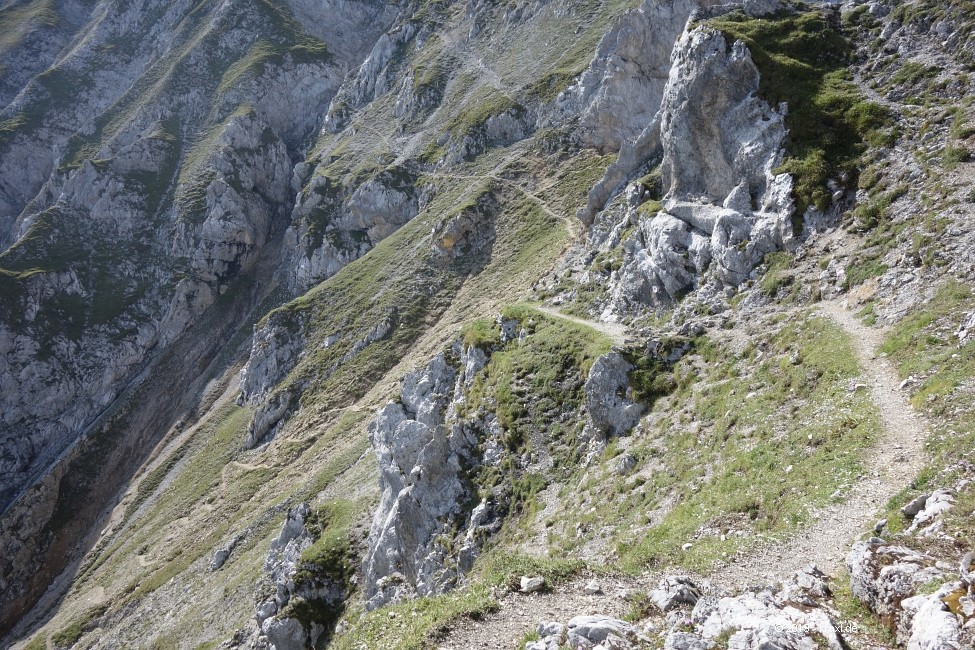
(756, 416)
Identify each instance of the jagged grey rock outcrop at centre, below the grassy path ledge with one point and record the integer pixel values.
(429, 526)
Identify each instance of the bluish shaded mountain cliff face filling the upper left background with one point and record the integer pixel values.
(200, 194)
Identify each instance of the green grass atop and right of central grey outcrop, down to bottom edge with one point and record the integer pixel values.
(525, 383)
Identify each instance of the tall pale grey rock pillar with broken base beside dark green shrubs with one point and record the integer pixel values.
(724, 209)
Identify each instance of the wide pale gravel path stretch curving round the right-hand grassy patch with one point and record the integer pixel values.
(892, 461)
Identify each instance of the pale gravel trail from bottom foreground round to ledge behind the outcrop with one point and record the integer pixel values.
(892, 462)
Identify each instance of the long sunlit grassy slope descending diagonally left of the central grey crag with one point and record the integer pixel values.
(213, 490)
